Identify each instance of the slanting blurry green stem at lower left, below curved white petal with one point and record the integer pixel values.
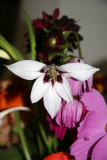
(22, 137)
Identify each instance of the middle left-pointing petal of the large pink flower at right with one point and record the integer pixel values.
(90, 125)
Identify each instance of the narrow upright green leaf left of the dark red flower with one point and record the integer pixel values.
(32, 37)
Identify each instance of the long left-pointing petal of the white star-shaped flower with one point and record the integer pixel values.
(27, 69)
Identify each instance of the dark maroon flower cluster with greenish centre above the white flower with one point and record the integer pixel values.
(49, 33)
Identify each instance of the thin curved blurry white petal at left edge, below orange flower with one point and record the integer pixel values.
(7, 111)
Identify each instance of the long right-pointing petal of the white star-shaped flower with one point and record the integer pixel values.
(79, 71)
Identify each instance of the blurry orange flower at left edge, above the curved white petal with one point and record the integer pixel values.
(13, 94)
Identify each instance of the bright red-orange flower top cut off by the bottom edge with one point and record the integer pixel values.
(59, 156)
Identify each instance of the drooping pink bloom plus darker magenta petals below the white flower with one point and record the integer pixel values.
(67, 117)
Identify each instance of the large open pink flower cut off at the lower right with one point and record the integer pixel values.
(92, 133)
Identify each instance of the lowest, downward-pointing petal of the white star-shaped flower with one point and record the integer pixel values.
(52, 102)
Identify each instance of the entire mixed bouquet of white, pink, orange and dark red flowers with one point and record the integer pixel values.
(66, 117)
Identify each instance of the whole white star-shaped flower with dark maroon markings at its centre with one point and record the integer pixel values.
(51, 83)
